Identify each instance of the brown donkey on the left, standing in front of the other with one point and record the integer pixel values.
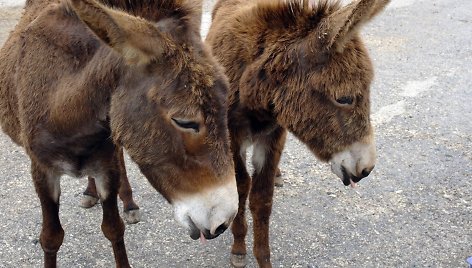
(81, 80)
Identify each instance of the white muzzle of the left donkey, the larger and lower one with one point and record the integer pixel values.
(209, 212)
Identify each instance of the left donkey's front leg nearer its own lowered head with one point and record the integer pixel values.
(112, 225)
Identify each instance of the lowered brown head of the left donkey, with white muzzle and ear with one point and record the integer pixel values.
(169, 112)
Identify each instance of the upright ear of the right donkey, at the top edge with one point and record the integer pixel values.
(339, 27)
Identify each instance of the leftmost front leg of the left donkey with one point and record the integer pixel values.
(48, 189)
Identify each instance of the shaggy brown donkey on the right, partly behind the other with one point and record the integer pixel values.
(293, 66)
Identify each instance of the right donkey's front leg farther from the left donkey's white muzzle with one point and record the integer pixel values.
(266, 157)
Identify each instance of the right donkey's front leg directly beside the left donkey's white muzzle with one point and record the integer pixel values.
(239, 226)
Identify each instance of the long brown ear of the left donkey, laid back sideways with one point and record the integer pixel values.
(137, 40)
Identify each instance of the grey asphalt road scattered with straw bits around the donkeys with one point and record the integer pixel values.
(415, 210)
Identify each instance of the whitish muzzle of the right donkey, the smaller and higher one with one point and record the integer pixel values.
(355, 162)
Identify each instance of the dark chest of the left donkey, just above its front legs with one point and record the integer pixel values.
(81, 153)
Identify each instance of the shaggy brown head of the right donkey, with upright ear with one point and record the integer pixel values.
(321, 73)
